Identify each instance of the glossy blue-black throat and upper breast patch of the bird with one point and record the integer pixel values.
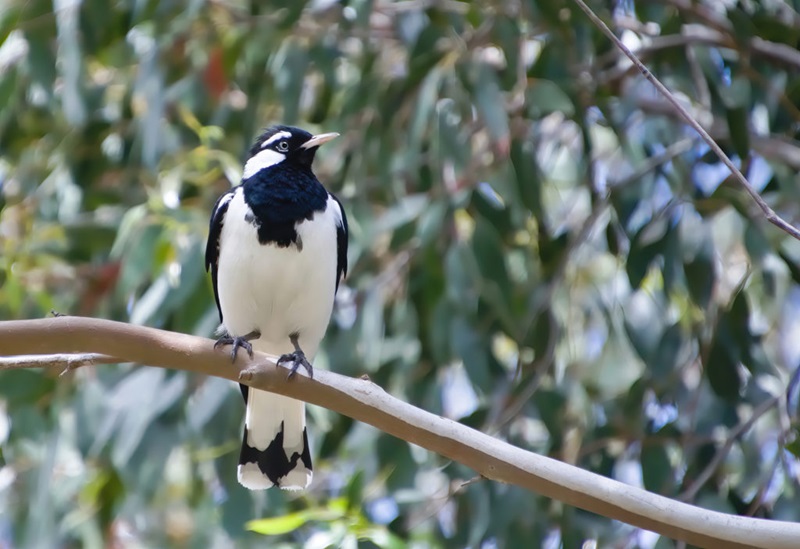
(280, 197)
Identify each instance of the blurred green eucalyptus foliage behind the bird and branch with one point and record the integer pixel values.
(539, 249)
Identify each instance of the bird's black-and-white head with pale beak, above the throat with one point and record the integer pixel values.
(283, 144)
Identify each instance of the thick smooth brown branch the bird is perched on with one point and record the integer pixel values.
(363, 400)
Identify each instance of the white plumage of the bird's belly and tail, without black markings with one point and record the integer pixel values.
(277, 291)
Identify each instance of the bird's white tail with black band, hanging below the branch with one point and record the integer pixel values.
(275, 445)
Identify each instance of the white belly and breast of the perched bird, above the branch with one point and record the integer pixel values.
(278, 291)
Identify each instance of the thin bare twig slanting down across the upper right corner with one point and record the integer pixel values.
(769, 213)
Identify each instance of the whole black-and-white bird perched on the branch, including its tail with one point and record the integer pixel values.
(277, 250)
